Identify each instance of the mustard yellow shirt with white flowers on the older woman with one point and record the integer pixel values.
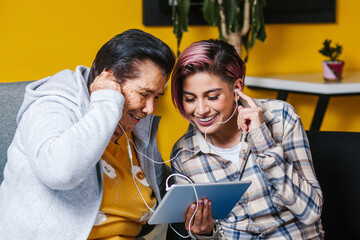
(123, 211)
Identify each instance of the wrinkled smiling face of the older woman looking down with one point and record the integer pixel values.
(141, 94)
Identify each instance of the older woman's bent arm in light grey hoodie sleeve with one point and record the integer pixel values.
(61, 149)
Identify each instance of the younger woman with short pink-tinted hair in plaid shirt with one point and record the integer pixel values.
(234, 137)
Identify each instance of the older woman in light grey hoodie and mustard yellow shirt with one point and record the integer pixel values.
(72, 172)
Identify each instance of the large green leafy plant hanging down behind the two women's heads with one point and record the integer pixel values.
(240, 22)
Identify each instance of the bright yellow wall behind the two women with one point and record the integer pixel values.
(41, 37)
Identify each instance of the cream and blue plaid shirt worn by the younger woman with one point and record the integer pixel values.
(284, 200)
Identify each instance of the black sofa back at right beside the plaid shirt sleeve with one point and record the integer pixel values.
(336, 162)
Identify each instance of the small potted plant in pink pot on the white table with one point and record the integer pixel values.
(333, 67)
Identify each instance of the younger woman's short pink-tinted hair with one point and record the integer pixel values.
(212, 56)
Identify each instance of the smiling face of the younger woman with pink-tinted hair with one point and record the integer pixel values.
(207, 100)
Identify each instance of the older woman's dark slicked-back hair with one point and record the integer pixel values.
(124, 52)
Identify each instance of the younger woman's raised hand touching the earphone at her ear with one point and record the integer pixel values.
(250, 116)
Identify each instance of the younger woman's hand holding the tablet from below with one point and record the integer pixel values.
(202, 223)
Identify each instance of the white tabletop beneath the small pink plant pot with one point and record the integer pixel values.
(308, 83)
